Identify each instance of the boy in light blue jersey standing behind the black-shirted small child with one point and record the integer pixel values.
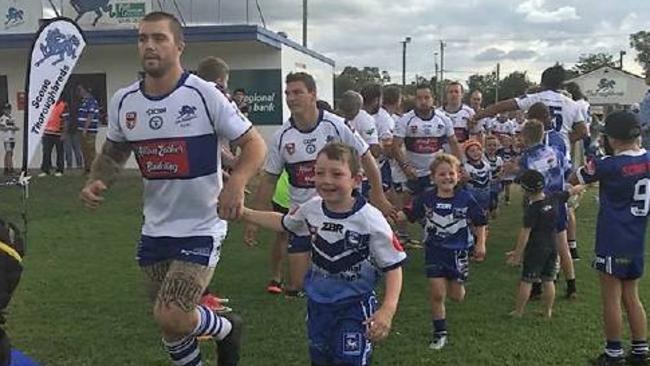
(553, 165)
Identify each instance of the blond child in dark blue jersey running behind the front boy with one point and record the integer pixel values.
(447, 213)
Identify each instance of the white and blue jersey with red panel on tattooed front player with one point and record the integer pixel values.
(175, 142)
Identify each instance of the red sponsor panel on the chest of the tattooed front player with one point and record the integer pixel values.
(167, 159)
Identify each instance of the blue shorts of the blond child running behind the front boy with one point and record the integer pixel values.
(452, 264)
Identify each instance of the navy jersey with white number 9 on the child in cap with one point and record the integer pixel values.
(624, 192)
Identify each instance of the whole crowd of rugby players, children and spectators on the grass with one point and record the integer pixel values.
(341, 187)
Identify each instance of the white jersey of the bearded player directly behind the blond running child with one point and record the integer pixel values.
(423, 138)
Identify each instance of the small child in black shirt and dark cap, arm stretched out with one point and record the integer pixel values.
(536, 241)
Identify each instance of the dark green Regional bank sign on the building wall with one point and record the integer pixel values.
(263, 94)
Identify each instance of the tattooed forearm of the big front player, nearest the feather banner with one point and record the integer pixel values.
(110, 161)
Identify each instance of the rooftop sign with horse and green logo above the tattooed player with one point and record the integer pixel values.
(102, 14)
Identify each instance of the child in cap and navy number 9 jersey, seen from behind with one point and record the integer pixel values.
(624, 188)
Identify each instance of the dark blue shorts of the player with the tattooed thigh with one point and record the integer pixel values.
(203, 250)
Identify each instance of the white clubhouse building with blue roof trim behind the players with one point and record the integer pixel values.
(259, 58)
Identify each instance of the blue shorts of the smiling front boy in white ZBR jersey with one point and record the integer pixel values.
(337, 335)
